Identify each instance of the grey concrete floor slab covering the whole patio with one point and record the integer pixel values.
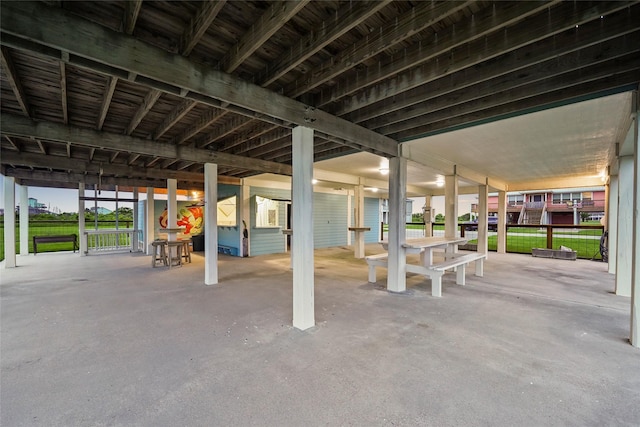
(107, 340)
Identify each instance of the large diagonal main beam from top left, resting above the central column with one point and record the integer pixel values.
(41, 27)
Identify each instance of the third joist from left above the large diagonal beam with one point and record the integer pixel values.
(278, 14)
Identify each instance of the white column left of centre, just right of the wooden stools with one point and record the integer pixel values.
(210, 224)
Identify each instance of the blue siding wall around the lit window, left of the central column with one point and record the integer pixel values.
(267, 240)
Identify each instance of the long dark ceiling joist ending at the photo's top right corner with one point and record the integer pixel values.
(563, 17)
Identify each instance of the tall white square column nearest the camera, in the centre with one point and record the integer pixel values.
(302, 226)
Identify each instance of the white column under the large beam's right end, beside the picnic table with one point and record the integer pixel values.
(397, 276)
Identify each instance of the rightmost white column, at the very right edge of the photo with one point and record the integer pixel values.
(634, 336)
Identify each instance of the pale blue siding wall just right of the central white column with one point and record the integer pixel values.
(329, 220)
